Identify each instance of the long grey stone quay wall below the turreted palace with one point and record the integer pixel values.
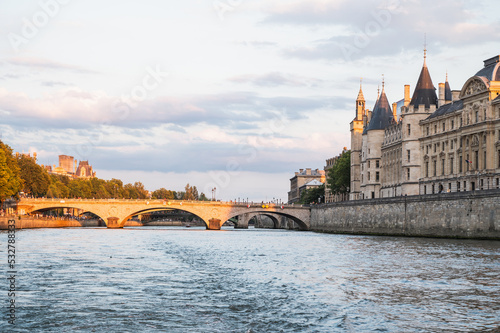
(473, 214)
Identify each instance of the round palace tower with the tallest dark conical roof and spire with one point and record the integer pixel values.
(423, 103)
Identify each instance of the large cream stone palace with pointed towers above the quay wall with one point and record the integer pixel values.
(449, 142)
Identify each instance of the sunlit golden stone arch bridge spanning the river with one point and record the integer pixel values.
(115, 212)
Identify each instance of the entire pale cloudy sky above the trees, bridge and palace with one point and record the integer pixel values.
(232, 94)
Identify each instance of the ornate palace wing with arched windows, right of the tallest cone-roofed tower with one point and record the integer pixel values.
(461, 141)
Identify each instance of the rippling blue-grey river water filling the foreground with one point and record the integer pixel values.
(161, 279)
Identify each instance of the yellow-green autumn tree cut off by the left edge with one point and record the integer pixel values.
(10, 180)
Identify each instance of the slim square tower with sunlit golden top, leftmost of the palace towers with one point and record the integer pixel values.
(356, 141)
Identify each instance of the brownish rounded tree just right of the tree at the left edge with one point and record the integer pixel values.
(35, 178)
